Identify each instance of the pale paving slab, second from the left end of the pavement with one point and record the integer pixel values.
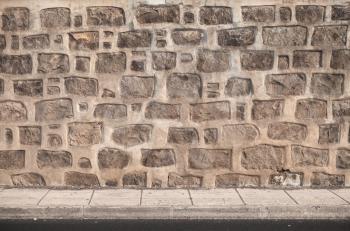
(67, 197)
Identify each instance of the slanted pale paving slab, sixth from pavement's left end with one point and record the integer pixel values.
(265, 197)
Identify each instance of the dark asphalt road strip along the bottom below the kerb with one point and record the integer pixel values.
(169, 225)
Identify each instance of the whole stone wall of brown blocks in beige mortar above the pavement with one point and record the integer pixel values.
(185, 94)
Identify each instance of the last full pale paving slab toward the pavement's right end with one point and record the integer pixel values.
(315, 197)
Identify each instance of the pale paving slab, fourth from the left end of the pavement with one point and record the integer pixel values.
(165, 198)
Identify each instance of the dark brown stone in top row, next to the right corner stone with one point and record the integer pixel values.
(309, 14)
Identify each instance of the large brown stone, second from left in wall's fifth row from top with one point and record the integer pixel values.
(53, 109)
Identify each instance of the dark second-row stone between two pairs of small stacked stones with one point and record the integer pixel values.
(134, 38)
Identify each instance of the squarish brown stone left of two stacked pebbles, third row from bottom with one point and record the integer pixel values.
(30, 135)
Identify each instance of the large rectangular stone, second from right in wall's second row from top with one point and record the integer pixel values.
(282, 36)
